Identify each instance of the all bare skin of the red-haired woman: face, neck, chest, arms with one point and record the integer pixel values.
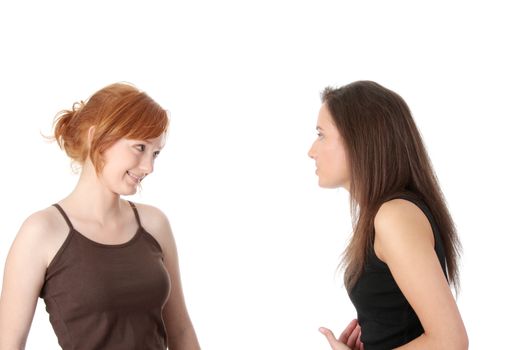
(107, 219)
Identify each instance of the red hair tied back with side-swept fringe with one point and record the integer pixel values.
(116, 111)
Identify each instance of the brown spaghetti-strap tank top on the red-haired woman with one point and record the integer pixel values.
(101, 296)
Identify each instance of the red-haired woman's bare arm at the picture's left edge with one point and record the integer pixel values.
(23, 278)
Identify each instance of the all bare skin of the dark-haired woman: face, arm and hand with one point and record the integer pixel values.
(405, 242)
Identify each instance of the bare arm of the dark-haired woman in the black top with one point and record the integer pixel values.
(405, 242)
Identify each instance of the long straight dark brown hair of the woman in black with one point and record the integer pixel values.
(387, 157)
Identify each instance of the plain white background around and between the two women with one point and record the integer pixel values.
(258, 241)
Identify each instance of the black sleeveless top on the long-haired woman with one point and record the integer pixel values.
(386, 318)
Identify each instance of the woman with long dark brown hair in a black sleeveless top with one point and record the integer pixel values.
(404, 249)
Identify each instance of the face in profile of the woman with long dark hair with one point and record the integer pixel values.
(329, 153)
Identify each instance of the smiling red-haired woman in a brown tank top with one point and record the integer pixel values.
(106, 268)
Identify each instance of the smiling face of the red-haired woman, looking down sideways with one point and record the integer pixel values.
(127, 162)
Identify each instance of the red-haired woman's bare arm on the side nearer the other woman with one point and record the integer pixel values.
(181, 334)
